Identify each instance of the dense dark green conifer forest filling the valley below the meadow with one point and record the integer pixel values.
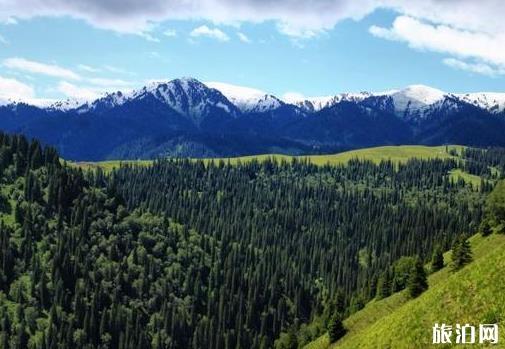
(187, 254)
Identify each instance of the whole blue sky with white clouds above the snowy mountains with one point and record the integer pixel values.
(80, 49)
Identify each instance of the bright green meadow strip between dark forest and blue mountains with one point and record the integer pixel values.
(395, 153)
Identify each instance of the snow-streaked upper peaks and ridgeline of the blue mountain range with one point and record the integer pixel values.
(195, 99)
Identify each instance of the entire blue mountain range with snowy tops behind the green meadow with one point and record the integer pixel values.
(185, 117)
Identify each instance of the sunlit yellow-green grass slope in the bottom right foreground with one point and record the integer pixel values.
(474, 295)
